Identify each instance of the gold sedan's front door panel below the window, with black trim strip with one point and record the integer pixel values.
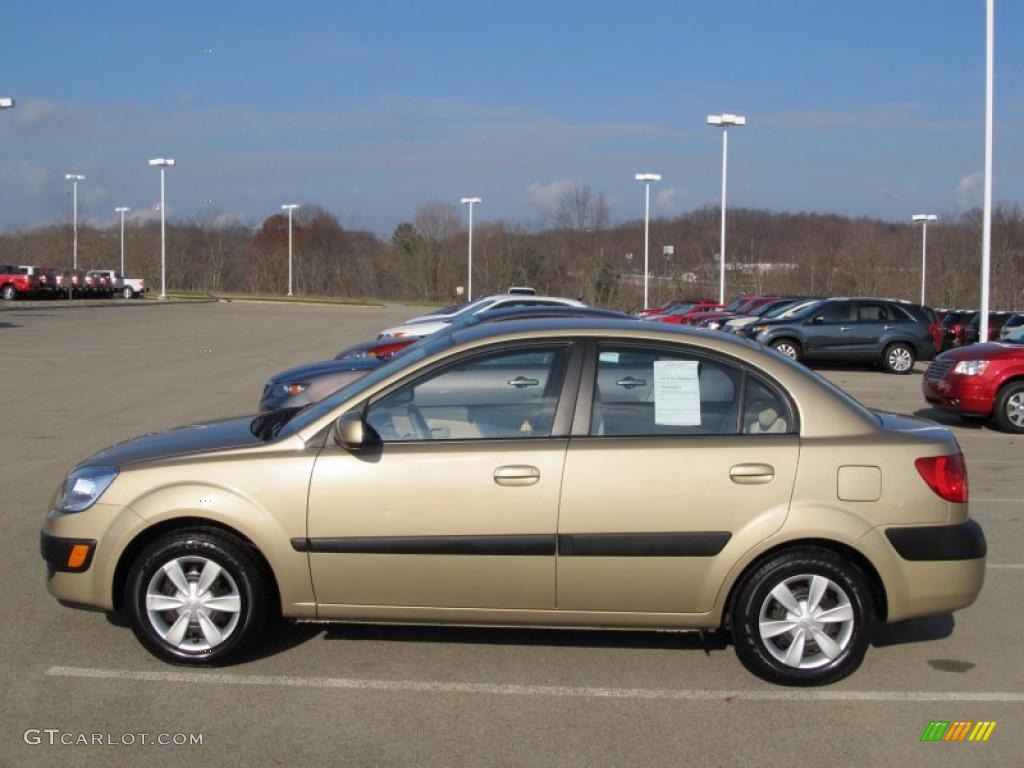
(429, 525)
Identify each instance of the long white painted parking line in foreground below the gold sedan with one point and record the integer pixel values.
(510, 690)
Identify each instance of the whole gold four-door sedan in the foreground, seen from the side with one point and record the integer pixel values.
(551, 473)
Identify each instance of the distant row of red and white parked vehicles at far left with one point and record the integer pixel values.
(25, 282)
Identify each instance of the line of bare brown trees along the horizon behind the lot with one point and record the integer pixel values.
(577, 252)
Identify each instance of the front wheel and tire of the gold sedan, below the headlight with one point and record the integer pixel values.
(209, 630)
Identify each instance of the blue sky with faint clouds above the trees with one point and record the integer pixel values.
(372, 110)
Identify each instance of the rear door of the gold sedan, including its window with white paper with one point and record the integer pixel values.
(678, 463)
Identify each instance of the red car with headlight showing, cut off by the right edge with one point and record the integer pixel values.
(982, 381)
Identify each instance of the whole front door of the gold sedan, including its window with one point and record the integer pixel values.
(456, 506)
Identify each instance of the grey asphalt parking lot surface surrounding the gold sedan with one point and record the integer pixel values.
(76, 379)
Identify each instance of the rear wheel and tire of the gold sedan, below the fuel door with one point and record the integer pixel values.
(845, 603)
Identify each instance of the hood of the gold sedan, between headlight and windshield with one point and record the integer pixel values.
(193, 439)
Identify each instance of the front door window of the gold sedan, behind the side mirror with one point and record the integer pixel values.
(506, 395)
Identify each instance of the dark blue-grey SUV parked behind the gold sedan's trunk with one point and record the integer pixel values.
(892, 333)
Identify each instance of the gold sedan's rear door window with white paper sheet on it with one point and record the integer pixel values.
(657, 393)
